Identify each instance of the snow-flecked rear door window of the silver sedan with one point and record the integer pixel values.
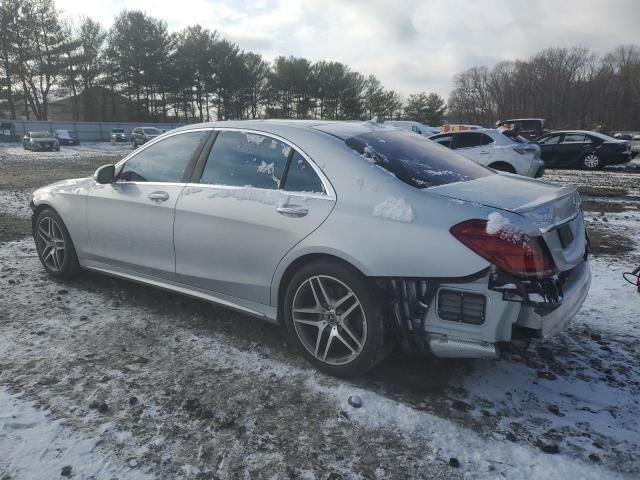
(246, 159)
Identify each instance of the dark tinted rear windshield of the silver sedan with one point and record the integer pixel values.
(415, 160)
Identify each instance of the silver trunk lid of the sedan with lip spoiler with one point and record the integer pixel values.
(553, 209)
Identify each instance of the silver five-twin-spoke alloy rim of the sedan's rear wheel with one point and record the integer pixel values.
(329, 320)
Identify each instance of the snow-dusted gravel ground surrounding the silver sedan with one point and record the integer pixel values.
(102, 378)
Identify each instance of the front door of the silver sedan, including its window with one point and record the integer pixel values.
(130, 222)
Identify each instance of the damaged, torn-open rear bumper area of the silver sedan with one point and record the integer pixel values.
(470, 317)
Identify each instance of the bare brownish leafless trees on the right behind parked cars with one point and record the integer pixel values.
(569, 87)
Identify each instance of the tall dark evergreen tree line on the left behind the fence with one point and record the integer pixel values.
(191, 75)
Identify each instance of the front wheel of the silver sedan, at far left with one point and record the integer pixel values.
(66, 258)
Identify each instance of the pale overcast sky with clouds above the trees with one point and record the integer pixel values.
(410, 45)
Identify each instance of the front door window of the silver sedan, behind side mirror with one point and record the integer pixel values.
(164, 161)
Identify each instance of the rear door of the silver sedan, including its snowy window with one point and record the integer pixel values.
(256, 198)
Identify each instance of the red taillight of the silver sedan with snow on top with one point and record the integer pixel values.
(512, 251)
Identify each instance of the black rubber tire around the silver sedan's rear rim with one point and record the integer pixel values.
(377, 341)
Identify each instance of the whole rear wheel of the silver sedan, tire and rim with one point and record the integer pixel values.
(334, 319)
